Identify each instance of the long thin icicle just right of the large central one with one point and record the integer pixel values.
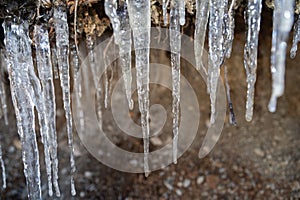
(175, 44)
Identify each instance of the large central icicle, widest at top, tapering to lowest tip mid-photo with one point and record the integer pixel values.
(139, 17)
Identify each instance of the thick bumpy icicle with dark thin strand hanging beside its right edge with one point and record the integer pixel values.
(216, 50)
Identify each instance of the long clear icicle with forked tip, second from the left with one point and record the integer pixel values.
(44, 66)
